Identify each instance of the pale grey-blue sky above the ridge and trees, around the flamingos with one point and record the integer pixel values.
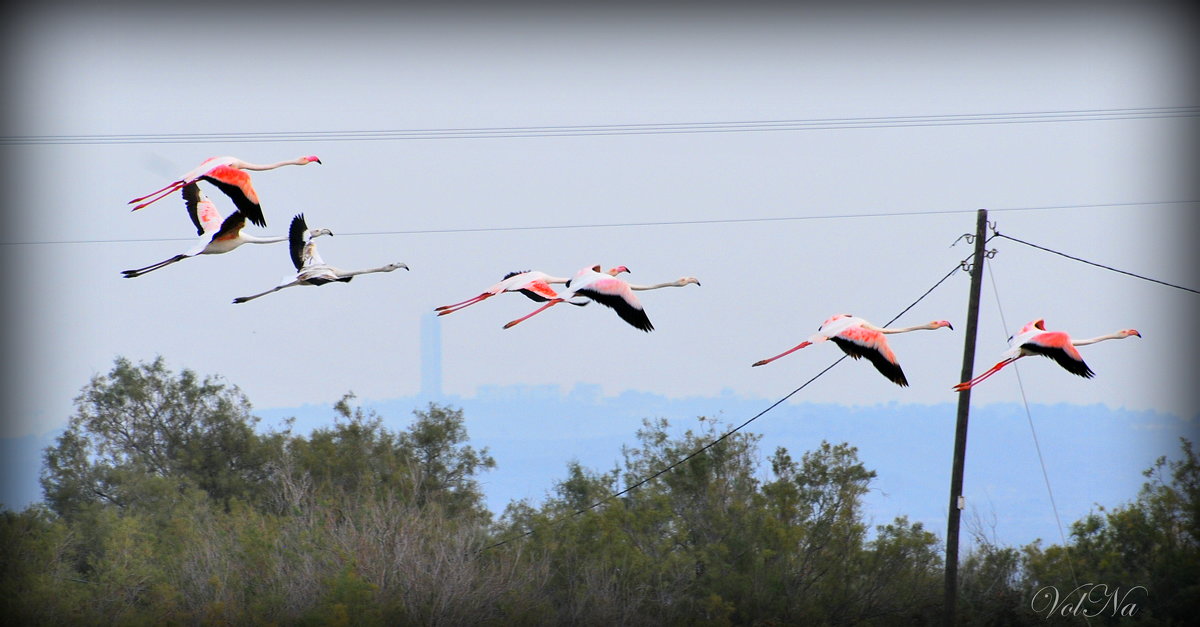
(783, 228)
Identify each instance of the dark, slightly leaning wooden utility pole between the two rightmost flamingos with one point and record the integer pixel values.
(961, 432)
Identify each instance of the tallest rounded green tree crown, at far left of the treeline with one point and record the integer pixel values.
(142, 434)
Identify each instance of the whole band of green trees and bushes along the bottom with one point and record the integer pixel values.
(166, 505)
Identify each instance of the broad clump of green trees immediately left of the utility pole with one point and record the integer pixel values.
(711, 542)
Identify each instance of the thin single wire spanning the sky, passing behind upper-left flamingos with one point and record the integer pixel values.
(651, 224)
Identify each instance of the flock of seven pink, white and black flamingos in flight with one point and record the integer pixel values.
(855, 337)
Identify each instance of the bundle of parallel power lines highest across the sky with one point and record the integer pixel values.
(812, 124)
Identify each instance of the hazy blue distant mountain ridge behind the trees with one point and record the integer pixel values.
(1094, 455)
